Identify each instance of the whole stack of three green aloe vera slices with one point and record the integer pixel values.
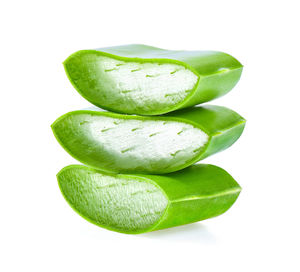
(140, 175)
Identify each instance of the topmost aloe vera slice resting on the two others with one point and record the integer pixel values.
(140, 79)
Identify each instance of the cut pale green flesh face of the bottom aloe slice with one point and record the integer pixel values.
(121, 204)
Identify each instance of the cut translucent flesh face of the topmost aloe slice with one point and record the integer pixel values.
(130, 86)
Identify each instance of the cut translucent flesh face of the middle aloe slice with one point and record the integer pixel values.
(132, 144)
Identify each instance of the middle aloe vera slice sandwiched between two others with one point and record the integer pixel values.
(140, 144)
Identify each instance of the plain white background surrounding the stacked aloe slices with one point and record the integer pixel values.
(40, 232)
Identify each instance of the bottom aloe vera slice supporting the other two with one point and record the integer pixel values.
(141, 203)
